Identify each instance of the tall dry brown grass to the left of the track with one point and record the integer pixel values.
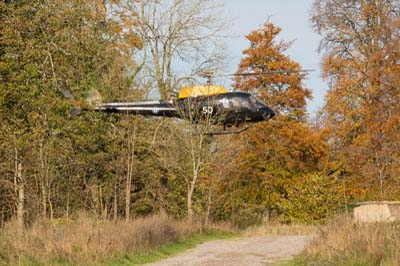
(87, 240)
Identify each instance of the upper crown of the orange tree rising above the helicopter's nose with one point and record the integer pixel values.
(285, 93)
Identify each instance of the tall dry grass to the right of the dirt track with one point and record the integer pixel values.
(342, 242)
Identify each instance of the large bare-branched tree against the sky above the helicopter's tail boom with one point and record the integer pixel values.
(178, 34)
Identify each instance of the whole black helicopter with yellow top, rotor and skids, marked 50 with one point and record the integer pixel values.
(204, 103)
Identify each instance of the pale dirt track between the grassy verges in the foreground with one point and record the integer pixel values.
(252, 251)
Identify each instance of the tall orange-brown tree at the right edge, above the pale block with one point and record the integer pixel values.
(360, 43)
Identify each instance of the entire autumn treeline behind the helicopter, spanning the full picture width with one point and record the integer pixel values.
(59, 158)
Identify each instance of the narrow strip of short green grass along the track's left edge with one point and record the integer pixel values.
(168, 250)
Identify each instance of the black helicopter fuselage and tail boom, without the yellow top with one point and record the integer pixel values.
(228, 109)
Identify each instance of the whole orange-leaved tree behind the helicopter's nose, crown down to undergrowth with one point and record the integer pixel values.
(282, 150)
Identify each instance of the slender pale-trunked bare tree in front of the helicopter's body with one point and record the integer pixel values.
(186, 148)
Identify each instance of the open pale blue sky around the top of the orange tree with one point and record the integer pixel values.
(293, 17)
